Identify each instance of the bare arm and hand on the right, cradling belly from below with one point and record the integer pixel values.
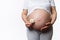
(53, 16)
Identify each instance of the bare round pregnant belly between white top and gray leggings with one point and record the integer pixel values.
(41, 17)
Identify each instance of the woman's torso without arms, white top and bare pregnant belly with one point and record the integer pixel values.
(39, 10)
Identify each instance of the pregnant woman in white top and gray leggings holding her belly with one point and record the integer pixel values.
(39, 17)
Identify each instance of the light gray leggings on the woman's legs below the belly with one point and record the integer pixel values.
(38, 35)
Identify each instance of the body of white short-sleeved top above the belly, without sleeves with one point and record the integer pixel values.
(38, 4)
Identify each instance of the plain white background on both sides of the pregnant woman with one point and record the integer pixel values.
(11, 25)
